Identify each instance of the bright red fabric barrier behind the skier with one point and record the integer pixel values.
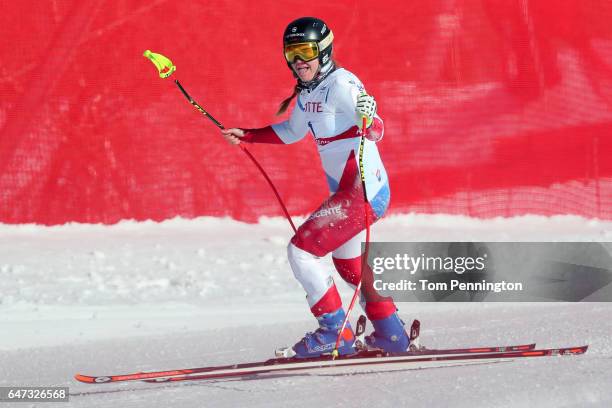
(491, 107)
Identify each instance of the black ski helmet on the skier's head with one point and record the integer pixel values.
(312, 29)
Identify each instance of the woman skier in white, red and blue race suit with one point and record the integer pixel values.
(331, 104)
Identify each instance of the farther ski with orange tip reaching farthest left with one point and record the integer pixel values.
(282, 362)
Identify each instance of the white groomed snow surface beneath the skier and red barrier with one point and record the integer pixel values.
(144, 296)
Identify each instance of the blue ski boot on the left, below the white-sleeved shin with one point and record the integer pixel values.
(323, 340)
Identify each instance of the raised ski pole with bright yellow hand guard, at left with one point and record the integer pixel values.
(165, 68)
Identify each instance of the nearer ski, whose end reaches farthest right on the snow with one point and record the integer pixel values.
(369, 359)
